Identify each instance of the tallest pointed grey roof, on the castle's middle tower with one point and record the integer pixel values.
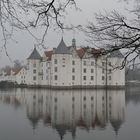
(62, 48)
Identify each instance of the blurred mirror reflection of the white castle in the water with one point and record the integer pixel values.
(67, 110)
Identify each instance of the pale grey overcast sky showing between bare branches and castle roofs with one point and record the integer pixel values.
(24, 43)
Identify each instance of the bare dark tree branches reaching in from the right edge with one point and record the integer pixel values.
(113, 31)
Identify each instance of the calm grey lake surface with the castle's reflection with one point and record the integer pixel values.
(27, 114)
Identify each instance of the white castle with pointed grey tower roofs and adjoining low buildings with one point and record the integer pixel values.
(71, 67)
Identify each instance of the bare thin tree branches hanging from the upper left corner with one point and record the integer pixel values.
(29, 14)
